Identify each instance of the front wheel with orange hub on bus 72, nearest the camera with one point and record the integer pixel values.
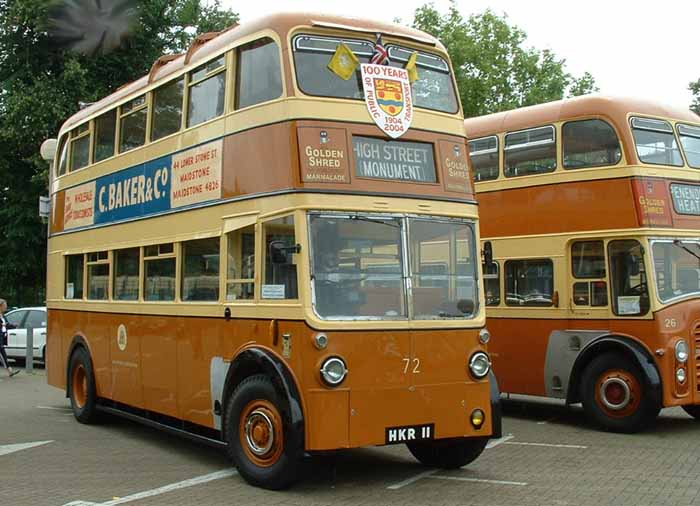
(261, 440)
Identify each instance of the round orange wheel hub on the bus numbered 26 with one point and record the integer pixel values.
(618, 393)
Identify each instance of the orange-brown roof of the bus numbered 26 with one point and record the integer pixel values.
(615, 108)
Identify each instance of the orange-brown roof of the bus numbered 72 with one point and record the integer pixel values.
(208, 44)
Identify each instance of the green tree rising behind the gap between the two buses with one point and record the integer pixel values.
(494, 70)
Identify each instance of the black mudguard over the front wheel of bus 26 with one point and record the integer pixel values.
(630, 348)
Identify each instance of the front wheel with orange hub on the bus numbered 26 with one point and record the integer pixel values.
(615, 394)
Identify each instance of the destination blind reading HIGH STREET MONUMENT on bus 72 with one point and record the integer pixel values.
(394, 160)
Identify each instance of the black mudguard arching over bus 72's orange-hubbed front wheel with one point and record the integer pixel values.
(258, 360)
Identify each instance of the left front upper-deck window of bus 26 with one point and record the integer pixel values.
(656, 143)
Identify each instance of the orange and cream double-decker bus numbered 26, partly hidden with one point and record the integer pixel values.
(590, 213)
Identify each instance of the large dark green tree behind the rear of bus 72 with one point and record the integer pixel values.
(41, 85)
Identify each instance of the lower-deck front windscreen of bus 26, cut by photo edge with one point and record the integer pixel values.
(677, 268)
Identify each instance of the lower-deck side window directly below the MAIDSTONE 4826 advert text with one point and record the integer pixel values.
(200, 271)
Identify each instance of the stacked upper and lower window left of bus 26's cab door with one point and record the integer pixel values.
(588, 262)
